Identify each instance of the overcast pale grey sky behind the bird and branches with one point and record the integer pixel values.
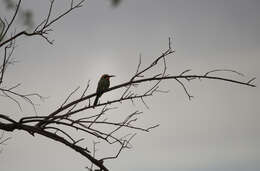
(218, 130)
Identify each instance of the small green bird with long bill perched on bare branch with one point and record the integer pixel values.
(103, 85)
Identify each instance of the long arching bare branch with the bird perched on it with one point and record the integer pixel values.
(134, 81)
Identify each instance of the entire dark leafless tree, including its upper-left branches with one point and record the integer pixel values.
(59, 124)
